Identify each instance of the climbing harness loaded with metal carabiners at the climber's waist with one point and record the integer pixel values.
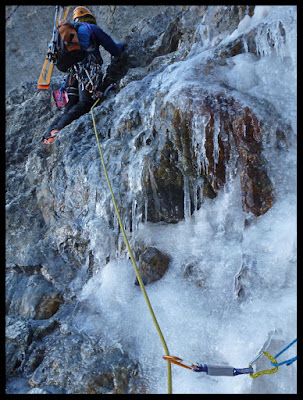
(89, 75)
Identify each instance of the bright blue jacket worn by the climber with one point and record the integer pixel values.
(91, 44)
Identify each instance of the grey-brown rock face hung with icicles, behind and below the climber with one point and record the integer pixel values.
(170, 144)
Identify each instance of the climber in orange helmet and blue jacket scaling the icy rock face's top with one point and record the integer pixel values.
(81, 100)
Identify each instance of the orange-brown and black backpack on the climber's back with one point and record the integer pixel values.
(67, 47)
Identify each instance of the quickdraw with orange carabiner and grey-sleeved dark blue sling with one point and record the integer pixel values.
(214, 370)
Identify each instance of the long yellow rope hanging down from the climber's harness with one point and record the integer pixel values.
(169, 378)
